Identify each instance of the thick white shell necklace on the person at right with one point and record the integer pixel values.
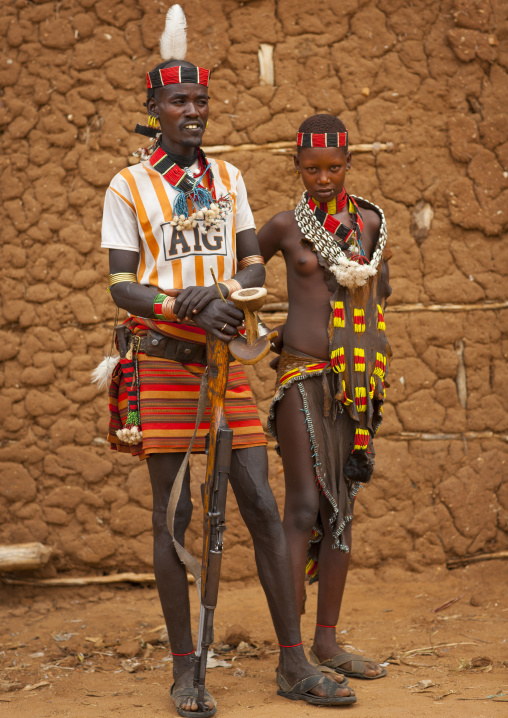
(349, 272)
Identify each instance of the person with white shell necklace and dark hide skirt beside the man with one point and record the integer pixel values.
(331, 369)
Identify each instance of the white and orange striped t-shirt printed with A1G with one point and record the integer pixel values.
(137, 217)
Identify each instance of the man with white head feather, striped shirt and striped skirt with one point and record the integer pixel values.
(167, 221)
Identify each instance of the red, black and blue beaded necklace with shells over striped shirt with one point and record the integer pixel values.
(208, 209)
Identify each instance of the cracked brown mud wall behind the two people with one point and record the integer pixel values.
(430, 77)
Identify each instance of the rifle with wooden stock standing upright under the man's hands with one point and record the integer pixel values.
(214, 504)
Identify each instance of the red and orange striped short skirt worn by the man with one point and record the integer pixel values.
(169, 394)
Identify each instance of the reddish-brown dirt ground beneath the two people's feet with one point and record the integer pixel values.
(101, 651)
